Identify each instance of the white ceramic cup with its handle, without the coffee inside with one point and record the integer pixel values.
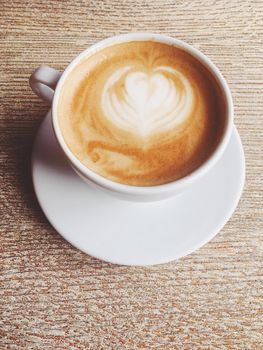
(47, 82)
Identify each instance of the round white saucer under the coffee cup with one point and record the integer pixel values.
(134, 233)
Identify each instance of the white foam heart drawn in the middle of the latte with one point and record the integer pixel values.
(147, 102)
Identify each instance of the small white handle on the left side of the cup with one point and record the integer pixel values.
(43, 82)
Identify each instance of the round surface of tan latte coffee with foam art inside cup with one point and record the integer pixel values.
(141, 113)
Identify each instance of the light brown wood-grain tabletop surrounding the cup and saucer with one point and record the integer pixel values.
(55, 297)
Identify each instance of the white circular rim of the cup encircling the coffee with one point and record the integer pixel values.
(156, 189)
